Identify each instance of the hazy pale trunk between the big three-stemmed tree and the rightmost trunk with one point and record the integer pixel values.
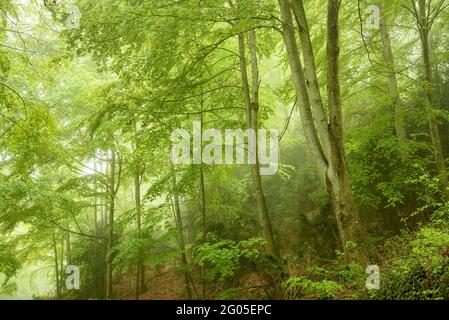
(393, 88)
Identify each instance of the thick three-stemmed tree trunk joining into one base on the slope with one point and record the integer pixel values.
(324, 137)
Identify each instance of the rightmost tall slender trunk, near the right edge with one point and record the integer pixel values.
(424, 29)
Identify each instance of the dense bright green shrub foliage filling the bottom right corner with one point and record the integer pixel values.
(420, 269)
